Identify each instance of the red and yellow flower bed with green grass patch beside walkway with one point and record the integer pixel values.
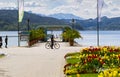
(92, 60)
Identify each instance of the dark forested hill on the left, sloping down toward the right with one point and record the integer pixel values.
(8, 20)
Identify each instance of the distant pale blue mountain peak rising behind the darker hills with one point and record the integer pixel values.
(64, 16)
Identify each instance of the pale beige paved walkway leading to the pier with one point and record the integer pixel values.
(35, 61)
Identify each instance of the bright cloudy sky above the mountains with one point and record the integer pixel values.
(82, 8)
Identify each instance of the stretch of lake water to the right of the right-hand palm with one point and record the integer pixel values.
(106, 38)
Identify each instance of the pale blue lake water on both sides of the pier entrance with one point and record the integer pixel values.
(107, 38)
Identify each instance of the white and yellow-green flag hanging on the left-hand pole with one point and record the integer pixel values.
(20, 10)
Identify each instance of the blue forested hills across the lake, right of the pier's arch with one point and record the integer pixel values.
(105, 24)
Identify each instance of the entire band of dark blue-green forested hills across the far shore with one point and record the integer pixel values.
(8, 21)
